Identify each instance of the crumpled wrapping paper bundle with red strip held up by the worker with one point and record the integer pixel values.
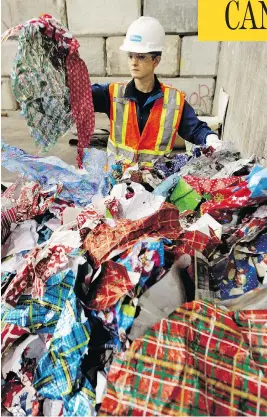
(51, 82)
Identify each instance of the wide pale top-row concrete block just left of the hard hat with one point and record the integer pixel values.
(102, 17)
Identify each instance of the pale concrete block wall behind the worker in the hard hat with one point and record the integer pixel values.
(100, 26)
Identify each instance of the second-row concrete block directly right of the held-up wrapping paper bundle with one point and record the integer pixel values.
(92, 52)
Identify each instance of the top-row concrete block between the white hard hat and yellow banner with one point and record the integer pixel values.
(178, 16)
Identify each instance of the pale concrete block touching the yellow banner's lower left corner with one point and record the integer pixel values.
(198, 58)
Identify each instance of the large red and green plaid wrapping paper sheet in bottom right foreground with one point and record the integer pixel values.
(201, 360)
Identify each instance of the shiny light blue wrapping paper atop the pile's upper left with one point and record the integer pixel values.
(78, 186)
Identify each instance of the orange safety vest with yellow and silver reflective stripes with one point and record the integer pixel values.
(160, 131)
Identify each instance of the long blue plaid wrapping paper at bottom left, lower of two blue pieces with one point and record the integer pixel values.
(59, 371)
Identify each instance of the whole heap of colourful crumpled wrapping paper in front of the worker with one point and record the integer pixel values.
(133, 290)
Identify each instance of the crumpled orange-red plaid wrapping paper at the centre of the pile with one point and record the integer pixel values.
(101, 241)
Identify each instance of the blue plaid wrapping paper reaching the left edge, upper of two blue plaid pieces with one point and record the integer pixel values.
(41, 316)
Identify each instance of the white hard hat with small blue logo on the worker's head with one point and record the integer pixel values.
(144, 35)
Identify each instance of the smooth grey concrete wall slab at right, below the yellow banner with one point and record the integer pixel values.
(243, 75)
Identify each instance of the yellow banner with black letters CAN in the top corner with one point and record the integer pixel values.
(232, 20)
